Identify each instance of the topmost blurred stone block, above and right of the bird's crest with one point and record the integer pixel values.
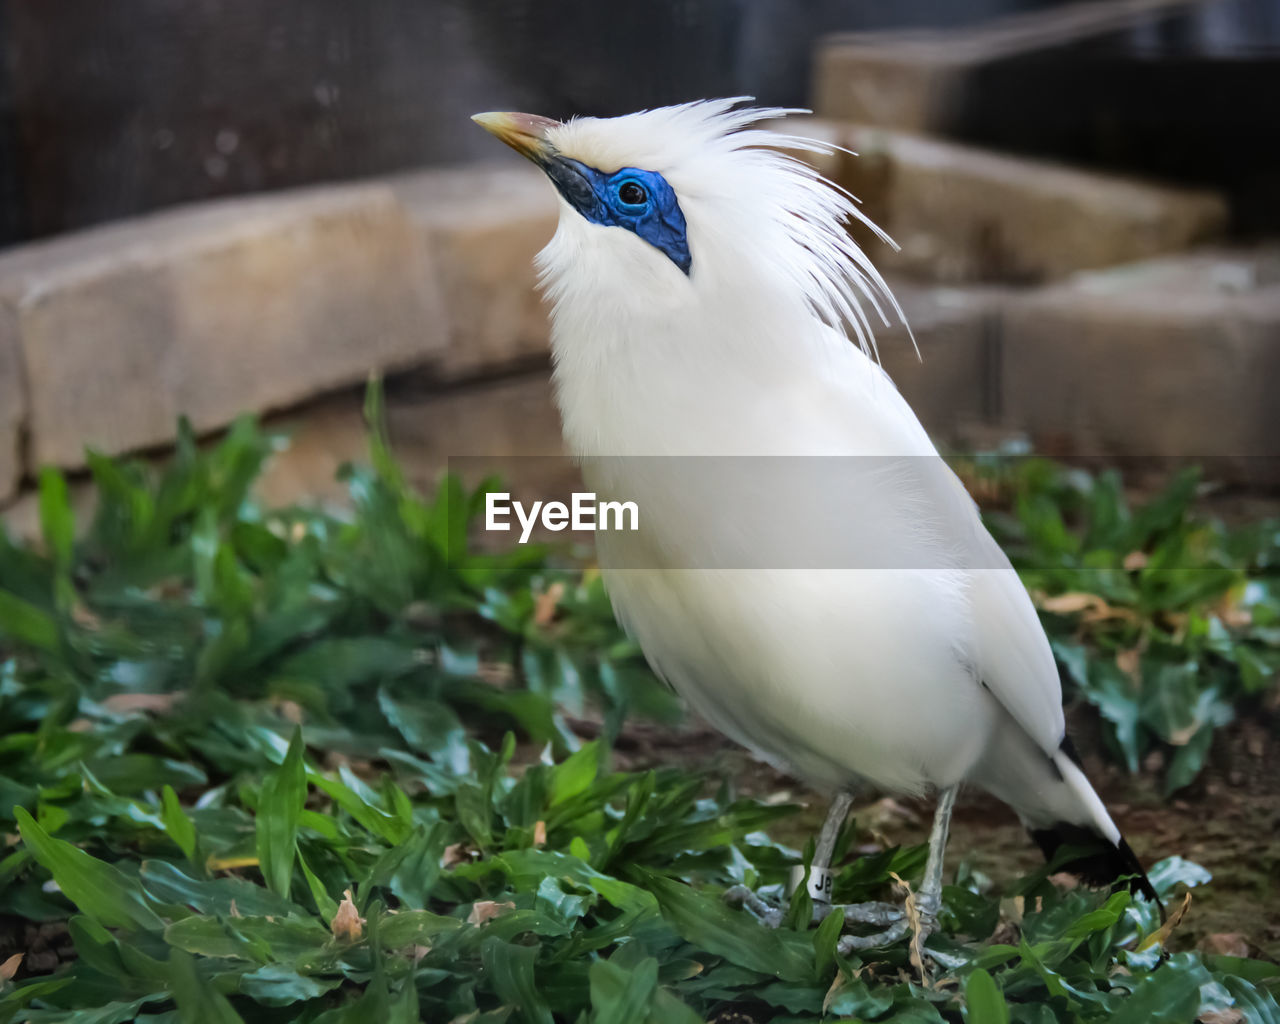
(920, 80)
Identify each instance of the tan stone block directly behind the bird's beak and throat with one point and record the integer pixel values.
(484, 226)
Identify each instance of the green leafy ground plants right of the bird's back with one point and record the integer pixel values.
(1163, 619)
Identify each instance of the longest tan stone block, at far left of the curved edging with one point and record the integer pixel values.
(214, 310)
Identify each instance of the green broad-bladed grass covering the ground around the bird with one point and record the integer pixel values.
(285, 765)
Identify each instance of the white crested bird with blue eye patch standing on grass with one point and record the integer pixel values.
(842, 611)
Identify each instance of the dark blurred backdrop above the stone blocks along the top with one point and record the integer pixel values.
(112, 109)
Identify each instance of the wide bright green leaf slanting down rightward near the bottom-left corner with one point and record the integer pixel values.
(100, 892)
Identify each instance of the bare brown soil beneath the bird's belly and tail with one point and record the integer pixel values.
(1228, 820)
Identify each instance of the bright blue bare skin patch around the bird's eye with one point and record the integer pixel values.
(641, 202)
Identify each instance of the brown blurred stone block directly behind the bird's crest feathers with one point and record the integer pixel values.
(963, 214)
